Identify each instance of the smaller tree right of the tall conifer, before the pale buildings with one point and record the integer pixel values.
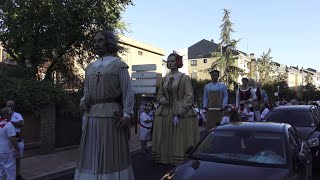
(265, 67)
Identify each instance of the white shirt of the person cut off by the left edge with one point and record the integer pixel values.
(5, 133)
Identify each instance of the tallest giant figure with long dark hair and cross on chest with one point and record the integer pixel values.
(108, 104)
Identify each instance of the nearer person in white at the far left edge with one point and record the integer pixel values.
(9, 150)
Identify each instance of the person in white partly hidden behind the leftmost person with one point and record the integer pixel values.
(18, 122)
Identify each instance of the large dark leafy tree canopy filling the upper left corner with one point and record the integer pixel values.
(55, 32)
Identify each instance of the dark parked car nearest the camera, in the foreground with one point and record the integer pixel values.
(247, 150)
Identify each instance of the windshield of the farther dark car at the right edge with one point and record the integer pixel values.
(295, 118)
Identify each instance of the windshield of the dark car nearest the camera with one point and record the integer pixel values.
(250, 148)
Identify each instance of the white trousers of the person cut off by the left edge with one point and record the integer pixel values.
(7, 166)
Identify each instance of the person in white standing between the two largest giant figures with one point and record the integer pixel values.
(145, 128)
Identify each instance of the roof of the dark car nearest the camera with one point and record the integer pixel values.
(255, 126)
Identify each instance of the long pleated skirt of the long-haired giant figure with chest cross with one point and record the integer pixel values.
(104, 151)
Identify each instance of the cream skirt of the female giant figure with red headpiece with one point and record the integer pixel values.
(170, 142)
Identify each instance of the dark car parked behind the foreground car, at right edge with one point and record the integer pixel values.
(305, 118)
